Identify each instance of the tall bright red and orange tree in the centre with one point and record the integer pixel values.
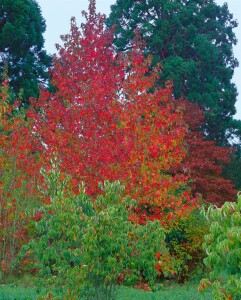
(105, 121)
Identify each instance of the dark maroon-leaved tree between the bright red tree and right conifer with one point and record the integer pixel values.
(204, 161)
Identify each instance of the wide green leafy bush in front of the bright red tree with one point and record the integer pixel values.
(89, 247)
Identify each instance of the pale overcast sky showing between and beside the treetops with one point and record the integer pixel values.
(57, 14)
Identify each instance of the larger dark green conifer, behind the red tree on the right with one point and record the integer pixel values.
(193, 40)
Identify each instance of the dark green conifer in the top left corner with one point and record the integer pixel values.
(21, 46)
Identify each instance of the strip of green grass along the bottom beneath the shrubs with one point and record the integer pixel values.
(173, 291)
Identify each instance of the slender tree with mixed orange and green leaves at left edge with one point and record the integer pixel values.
(19, 176)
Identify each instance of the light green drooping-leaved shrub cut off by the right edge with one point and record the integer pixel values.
(223, 247)
